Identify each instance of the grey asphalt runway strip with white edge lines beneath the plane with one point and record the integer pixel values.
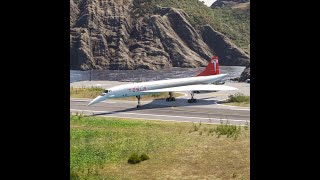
(204, 111)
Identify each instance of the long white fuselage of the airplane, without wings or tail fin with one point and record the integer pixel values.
(136, 89)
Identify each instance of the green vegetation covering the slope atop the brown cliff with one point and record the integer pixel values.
(232, 22)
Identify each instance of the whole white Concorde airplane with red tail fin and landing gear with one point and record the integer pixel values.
(209, 80)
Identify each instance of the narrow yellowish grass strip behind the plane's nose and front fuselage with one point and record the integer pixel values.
(93, 92)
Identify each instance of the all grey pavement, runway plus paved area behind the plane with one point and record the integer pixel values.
(205, 110)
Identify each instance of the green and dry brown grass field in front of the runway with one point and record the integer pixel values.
(100, 148)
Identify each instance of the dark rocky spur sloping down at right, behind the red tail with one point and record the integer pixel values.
(223, 47)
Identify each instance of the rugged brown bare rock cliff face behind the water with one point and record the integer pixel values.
(108, 35)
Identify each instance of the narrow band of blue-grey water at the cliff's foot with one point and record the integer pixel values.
(147, 75)
